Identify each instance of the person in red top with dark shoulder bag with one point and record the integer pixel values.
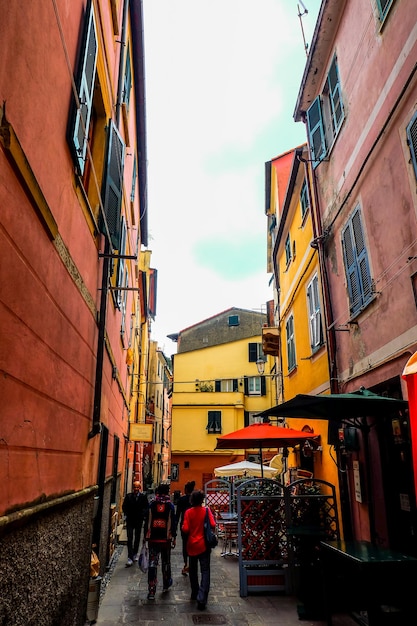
(197, 550)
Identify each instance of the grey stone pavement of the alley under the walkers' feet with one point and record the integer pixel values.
(124, 599)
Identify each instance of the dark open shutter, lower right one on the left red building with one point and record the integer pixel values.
(113, 184)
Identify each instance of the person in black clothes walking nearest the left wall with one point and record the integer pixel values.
(135, 506)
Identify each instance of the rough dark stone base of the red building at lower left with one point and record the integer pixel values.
(45, 564)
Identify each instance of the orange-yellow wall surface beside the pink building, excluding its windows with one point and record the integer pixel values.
(311, 374)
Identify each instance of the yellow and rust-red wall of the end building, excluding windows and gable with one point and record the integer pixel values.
(190, 407)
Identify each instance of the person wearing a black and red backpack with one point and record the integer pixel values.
(160, 533)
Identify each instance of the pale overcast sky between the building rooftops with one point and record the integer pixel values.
(222, 79)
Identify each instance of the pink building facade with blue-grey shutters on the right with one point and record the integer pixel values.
(358, 101)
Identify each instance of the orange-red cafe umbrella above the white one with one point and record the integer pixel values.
(263, 436)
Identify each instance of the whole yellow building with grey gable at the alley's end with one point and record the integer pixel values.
(217, 389)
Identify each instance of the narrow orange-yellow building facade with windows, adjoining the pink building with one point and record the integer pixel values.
(302, 362)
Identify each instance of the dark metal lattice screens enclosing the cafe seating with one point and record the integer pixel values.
(280, 529)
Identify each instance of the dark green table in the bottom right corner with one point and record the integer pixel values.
(367, 577)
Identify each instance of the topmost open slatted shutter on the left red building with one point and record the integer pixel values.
(85, 90)
